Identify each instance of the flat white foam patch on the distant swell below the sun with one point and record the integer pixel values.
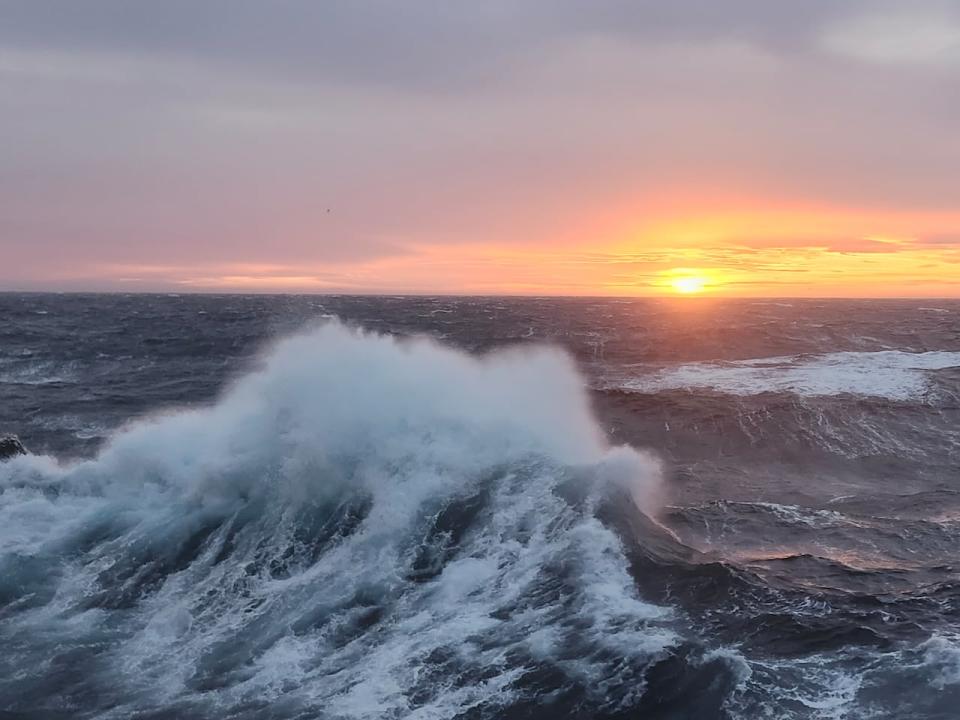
(889, 374)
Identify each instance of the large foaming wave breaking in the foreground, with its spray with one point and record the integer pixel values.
(362, 525)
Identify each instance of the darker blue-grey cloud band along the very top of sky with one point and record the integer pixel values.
(423, 44)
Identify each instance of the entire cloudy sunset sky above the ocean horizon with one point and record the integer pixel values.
(545, 147)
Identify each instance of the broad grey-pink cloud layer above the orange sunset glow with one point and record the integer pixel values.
(130, 128)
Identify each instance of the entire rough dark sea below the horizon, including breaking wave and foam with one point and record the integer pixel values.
(555, 508)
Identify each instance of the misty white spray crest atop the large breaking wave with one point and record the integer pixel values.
(324, 402)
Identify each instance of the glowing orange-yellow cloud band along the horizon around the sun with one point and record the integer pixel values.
(728, 246)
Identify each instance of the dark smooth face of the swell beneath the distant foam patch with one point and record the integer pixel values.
(841, 437)
